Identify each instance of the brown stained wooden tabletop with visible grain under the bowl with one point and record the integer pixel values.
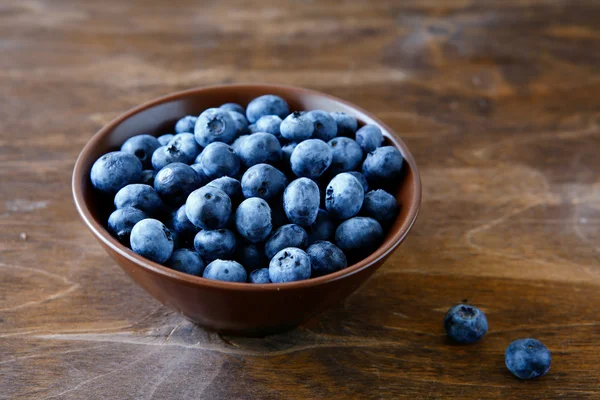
(499, 102)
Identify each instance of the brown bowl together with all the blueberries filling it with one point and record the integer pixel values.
(263, 230)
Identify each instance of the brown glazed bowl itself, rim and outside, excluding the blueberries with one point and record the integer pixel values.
(238, 308)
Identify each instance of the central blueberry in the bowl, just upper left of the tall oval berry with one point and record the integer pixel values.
(264, 181)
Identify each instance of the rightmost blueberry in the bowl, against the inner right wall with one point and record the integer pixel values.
(383, 166)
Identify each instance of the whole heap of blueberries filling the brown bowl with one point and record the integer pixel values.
(254, 195)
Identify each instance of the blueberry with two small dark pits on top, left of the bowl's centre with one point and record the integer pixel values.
(208, 208)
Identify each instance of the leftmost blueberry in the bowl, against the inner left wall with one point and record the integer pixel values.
(115, 170)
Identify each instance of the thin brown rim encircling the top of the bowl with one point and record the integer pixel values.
(104, 236)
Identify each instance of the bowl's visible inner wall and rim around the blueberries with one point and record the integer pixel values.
(158, 117)
